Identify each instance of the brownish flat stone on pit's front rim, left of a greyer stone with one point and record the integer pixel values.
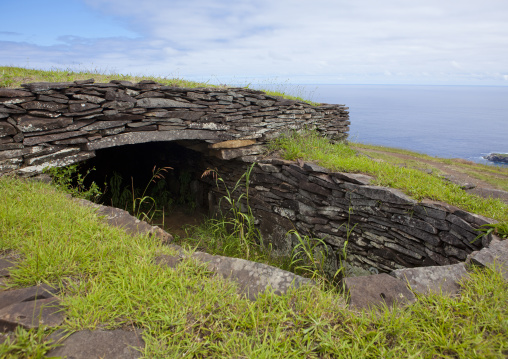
(374, 290)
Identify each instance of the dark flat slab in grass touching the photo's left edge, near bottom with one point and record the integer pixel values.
(31, 314)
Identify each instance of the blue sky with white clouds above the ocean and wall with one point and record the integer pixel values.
(427, 42)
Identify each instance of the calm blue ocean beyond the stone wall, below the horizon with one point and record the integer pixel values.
(447, 121)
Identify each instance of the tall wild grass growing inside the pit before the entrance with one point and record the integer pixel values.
(234, 234)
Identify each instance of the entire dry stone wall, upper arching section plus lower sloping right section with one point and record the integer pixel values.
(55, 124)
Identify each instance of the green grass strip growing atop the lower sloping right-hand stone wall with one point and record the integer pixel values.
(419, 185)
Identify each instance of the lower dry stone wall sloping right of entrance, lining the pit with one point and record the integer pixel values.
(385, 229)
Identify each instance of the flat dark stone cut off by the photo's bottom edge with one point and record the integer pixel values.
(110, 344)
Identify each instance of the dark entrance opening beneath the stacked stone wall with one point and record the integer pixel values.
(159, 182)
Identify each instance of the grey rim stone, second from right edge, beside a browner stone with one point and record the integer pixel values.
(436, 279)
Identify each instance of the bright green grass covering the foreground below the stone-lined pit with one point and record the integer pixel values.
(186, 312)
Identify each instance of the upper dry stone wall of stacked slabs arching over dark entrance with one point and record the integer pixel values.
(56, 124)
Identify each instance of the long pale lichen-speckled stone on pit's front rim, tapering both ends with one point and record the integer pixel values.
(253, 278)
